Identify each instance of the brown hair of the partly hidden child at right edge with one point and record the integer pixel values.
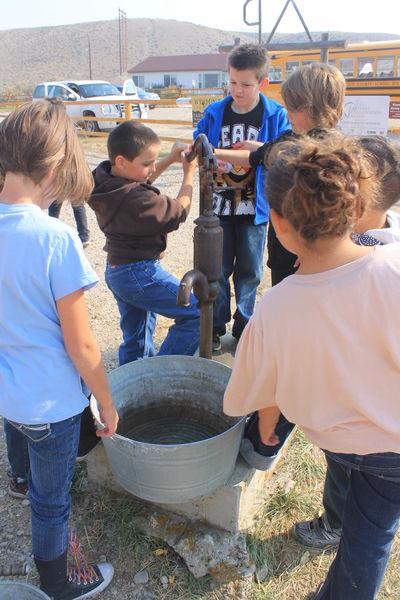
(384, 155)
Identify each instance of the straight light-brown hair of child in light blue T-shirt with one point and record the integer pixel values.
(39, 136)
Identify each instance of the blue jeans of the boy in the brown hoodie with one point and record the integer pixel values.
(143, 290)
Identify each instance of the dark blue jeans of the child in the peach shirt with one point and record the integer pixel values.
(370, 521)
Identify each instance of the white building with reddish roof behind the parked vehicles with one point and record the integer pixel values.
(188, 71)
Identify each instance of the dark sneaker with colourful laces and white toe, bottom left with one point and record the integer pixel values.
(84, 580)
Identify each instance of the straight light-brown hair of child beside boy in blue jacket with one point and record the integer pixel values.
(319, 89)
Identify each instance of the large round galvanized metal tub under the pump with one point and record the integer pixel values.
(173, 404)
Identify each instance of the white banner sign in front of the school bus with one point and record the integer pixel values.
(365, 115)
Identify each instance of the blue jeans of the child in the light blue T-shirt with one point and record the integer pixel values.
(52, 453)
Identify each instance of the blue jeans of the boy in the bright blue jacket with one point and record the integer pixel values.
(242, 256)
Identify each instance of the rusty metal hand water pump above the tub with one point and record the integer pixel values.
(207, 260)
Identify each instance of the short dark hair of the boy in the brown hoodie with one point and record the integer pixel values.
(129, 139)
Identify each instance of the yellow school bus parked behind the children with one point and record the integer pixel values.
(370, 68)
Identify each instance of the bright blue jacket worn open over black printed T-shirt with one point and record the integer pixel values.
(274, 123)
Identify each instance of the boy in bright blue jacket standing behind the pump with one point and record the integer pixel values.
(239, 198)
